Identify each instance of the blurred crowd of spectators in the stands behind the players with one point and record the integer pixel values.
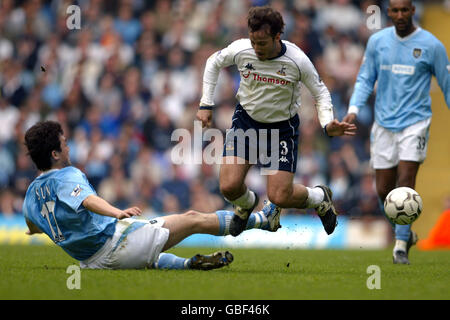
(132, 74)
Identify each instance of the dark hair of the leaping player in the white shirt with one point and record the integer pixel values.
(265, 17)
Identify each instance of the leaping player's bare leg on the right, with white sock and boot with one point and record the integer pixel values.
(284, 193)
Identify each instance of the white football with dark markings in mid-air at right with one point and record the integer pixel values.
(403, 205)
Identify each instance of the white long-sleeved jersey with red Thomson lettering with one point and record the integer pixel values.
(269, 90)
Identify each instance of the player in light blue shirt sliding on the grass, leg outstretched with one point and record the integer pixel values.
(62, 204)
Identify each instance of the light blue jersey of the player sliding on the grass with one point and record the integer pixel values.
(54, 204)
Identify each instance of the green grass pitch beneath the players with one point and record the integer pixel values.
(39, 272)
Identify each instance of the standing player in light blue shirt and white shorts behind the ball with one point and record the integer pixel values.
(402, 59)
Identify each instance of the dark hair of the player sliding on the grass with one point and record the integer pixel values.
(41, 139)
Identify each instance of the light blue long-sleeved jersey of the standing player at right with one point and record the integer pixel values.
(403, 68)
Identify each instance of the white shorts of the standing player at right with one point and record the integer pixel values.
(387, 148)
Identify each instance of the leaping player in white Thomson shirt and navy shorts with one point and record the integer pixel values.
(271, 73)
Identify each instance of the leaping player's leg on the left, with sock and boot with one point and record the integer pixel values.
(232, 185)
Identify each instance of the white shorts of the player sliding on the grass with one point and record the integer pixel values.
(136, 244)
